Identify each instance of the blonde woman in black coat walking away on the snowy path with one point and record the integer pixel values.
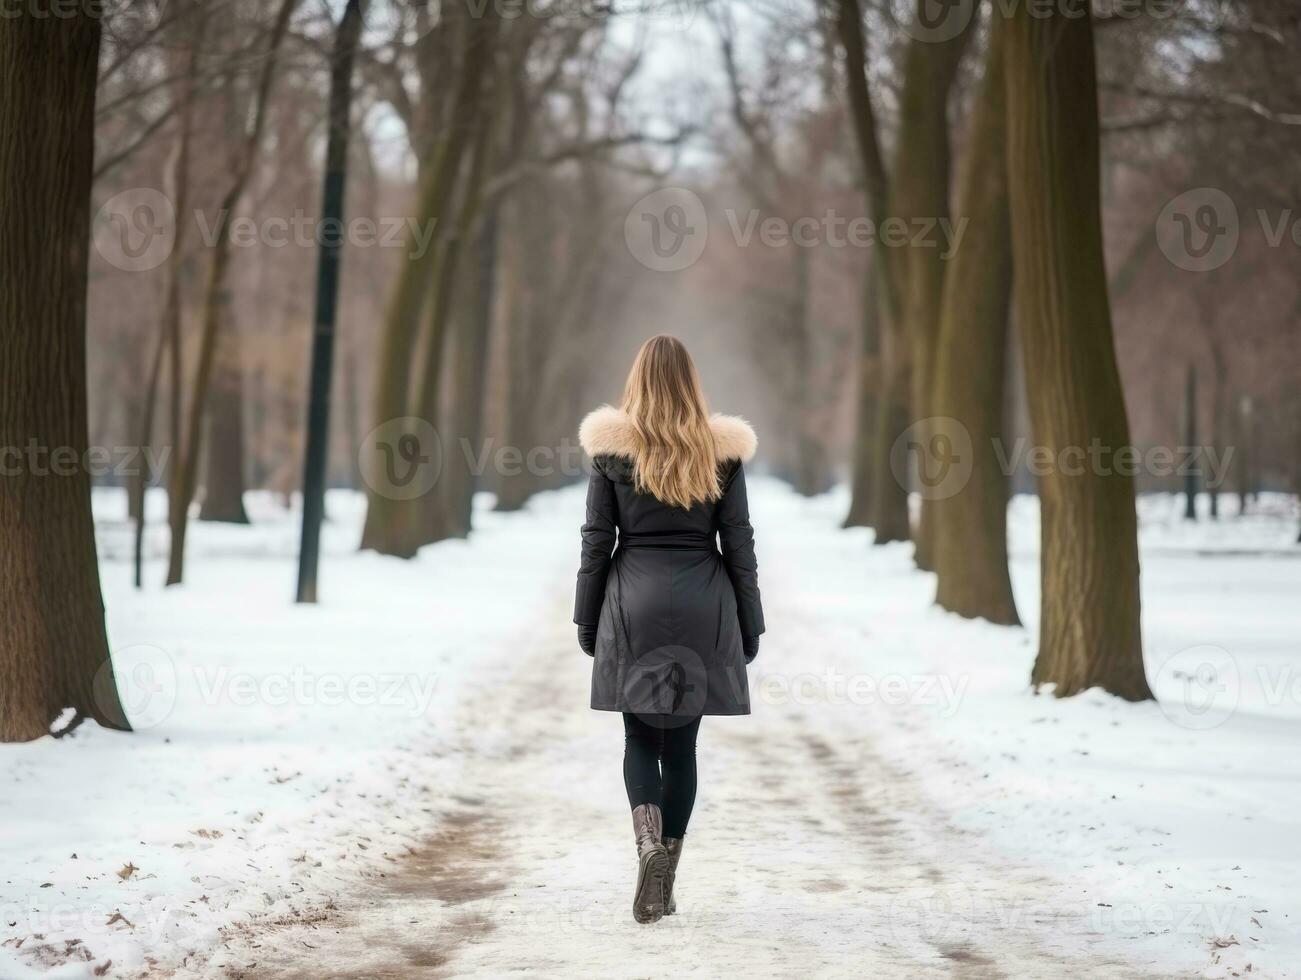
(673, 616)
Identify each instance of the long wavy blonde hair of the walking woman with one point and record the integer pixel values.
(676, 459)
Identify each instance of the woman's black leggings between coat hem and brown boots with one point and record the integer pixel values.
(660, 766)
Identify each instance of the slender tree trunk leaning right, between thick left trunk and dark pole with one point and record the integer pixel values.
(187, 470)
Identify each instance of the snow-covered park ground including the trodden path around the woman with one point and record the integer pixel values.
(405, 780)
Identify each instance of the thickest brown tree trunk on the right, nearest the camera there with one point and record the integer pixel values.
(1090, 628)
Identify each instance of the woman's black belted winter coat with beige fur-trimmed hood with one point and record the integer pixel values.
(672, 592)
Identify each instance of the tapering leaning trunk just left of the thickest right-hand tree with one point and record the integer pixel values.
(971, 521)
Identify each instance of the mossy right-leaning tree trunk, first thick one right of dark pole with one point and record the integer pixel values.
(388, 529)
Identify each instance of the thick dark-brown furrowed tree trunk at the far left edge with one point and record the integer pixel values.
(54, 649)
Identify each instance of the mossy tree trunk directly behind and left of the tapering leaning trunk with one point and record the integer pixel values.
(922, 192)
